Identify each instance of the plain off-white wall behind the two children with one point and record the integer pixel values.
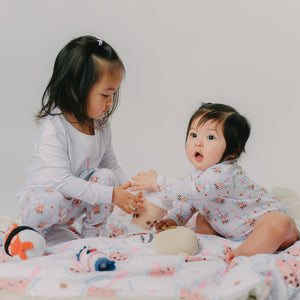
(177, 54)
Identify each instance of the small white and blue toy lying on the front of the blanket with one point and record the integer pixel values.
(94, 260)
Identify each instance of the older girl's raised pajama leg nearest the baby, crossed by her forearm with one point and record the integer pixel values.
(97, 214)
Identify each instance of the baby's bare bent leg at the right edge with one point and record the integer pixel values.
(273, 231)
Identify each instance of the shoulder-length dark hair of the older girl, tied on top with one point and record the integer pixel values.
(77, 67)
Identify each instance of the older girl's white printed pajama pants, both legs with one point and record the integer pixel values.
(47, 208)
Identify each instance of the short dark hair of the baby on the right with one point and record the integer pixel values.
(236, 128)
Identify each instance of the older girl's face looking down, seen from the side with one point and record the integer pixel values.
(101, 94)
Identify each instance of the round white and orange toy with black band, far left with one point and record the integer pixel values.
(24, 242)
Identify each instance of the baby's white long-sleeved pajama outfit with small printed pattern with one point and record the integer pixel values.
(230, 201)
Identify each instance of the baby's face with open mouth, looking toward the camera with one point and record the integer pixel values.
(205, 144)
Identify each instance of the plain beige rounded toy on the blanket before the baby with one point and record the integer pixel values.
(175, 240)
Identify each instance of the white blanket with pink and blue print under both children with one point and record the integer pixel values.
(141, 273)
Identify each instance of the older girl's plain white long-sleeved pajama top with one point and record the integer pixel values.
(63, 158)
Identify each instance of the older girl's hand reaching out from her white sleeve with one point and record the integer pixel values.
(128, 202)
